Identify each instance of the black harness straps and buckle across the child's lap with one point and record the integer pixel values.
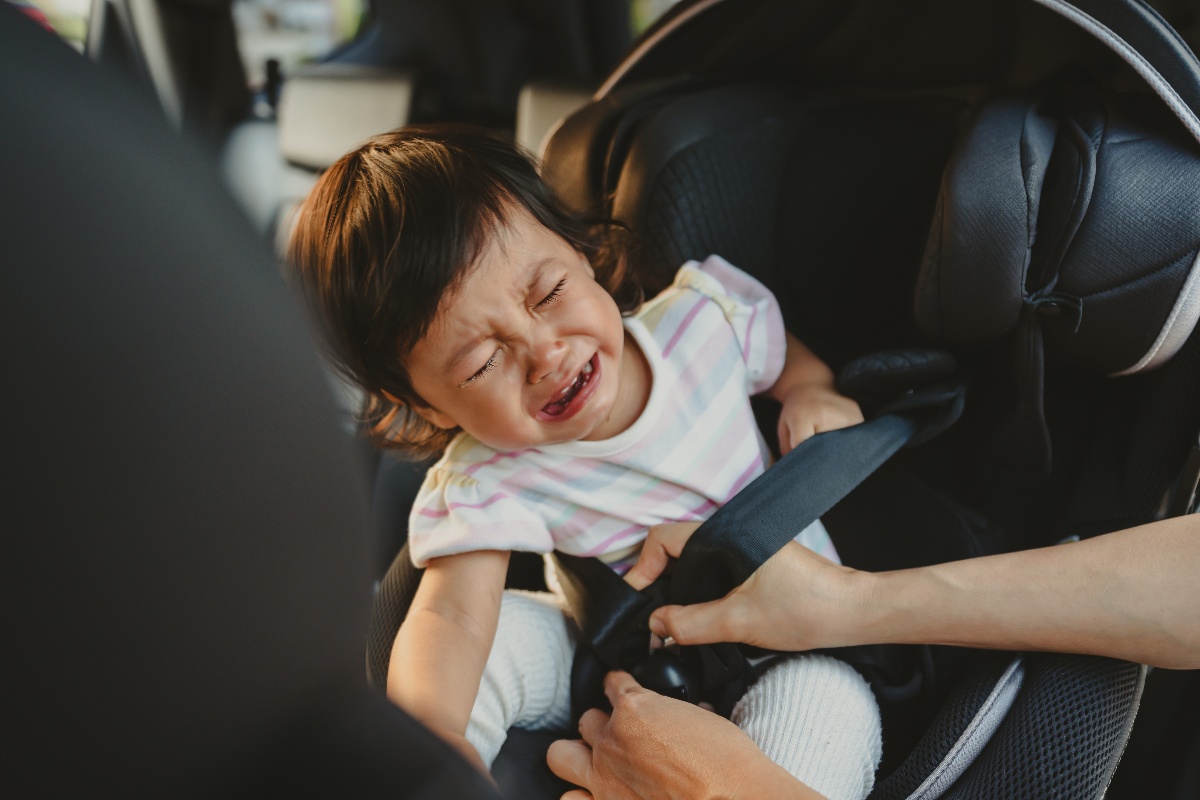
(728, 549)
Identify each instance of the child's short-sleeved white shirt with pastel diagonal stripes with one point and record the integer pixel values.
(713, 339)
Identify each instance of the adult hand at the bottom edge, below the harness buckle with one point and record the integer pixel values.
(655, 748)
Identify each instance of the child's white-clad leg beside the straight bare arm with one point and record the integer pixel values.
(527, 682)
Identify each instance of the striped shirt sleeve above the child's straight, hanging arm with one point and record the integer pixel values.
(457, 514)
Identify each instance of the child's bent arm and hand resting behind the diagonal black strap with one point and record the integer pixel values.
(812, 404)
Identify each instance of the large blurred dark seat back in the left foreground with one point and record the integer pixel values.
(189, 576)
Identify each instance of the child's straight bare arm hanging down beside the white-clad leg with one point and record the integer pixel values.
(441, 651)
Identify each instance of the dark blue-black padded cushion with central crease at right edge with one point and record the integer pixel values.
(1075, 212)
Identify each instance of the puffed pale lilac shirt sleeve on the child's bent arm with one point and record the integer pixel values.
(753, 311)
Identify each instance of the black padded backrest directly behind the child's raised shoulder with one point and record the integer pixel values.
(825, 200)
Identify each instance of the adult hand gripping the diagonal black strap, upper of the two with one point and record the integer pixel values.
(796, 601)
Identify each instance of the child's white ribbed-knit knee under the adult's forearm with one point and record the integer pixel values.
(818, 719)
